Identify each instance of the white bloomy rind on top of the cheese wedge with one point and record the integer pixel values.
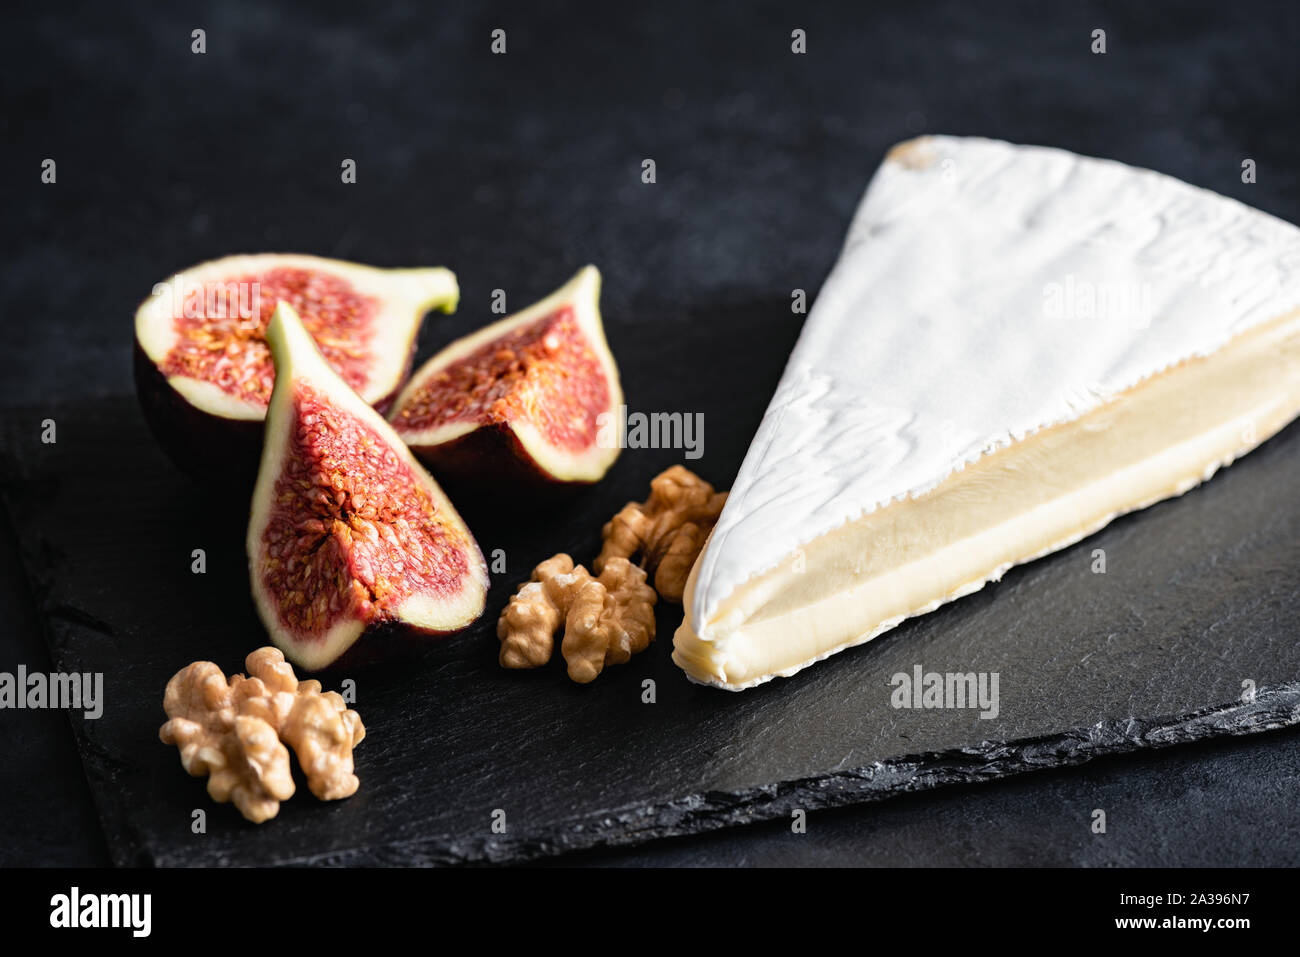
(957, 323)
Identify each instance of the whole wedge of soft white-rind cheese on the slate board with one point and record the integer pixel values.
(1016, 347)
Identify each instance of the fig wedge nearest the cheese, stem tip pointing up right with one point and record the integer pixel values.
(522, 399)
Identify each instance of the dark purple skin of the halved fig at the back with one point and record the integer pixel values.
(209, 448)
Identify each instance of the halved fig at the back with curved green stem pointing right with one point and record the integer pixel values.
(203, 370)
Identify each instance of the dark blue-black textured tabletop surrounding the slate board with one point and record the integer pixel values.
(517, 170)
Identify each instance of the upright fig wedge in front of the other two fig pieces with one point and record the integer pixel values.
(349, 536)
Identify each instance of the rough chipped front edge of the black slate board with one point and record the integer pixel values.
(1271, 709)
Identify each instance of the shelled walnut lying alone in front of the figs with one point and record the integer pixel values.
(236, 731)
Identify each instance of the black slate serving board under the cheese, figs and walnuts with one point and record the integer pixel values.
(1201, 595)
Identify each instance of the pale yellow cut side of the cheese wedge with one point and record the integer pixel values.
(1156, 440)
